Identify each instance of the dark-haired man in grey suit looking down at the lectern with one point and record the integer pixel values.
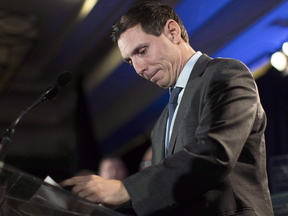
(209, 156)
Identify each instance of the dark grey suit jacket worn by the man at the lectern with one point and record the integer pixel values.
(216, 163)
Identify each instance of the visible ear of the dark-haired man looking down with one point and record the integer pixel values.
(172, 31)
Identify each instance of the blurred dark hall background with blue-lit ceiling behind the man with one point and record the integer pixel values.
(108, 109)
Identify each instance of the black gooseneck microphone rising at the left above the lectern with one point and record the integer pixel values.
(50, 94)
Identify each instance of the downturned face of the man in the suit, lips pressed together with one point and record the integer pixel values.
(154, 58)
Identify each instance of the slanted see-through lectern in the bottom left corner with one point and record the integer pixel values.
(22, 194)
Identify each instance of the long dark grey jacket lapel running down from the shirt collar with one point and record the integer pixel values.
(195, 75)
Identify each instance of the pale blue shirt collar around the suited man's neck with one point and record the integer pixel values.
(185, 73)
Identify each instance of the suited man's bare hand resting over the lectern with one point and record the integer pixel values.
(97, 189)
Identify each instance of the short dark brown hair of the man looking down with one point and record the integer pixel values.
(152, 16)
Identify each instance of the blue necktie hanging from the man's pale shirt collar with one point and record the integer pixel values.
(172, 106)
